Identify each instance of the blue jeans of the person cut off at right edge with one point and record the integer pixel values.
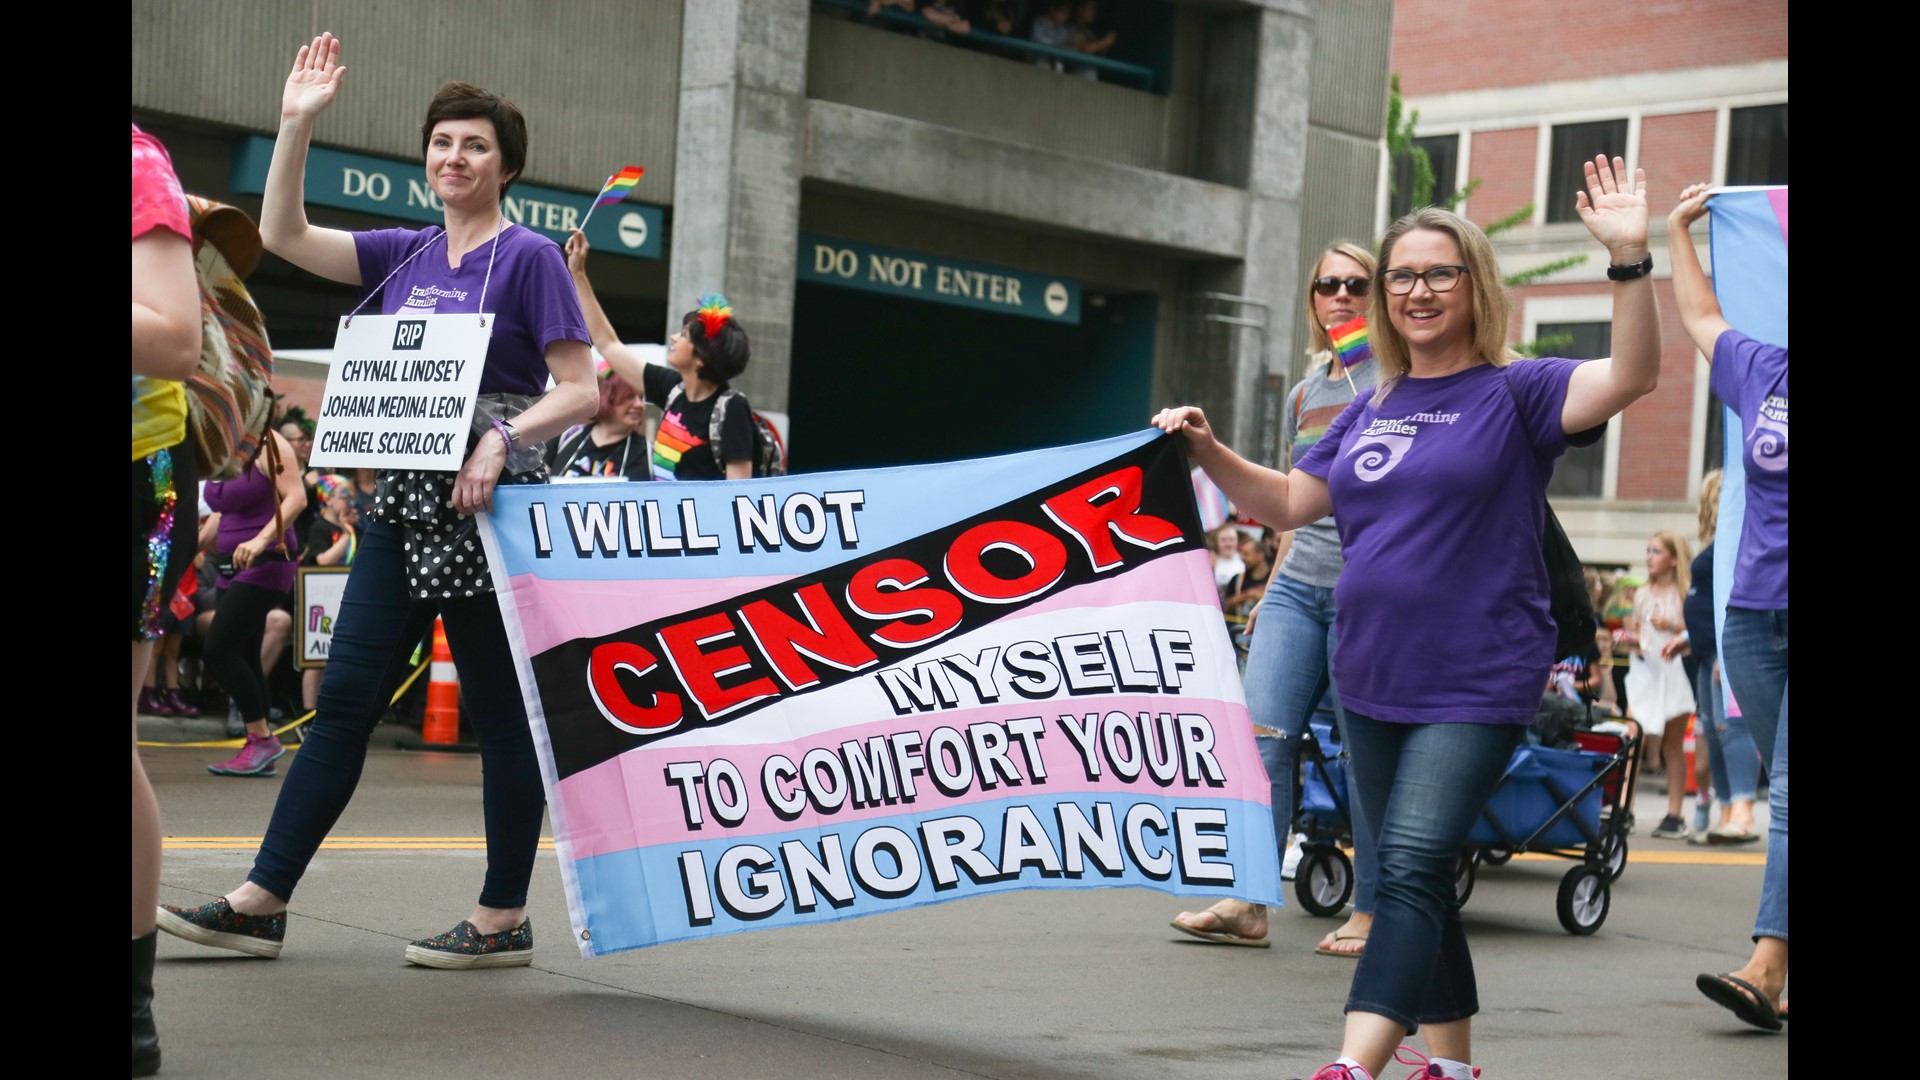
(1756, 654)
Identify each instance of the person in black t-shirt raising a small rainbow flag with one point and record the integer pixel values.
(704, 356)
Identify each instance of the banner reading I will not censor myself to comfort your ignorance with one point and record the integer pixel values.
(807, 699)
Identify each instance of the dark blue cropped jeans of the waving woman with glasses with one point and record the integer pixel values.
(1426, 787)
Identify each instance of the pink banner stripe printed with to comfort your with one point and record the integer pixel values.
(612, 795)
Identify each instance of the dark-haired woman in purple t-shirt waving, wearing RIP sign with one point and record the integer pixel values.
(420, 554)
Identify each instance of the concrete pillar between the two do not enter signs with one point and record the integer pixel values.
(738, 174)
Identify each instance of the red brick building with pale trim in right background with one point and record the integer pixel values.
(1518, 95)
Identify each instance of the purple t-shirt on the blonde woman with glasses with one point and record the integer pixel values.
(1441, 503)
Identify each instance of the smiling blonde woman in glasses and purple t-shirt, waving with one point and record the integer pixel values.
(1439, 481)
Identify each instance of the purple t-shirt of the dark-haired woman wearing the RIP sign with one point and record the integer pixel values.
(529, 293)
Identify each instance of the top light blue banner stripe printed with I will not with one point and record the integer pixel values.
(813, 512)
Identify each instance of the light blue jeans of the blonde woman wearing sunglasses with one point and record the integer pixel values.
(1287, 679)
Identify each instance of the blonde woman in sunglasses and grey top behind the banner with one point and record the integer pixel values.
(1293, 637)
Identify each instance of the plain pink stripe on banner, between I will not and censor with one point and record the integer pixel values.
(554, 612)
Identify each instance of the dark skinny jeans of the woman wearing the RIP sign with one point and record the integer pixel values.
(373, 645)
